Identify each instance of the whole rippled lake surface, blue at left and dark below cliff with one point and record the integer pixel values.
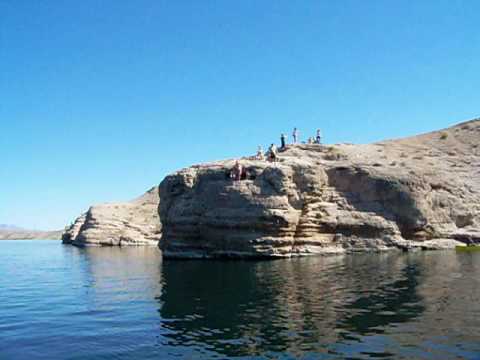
(60, 302)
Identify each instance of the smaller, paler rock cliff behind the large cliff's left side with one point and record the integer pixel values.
(118, 224)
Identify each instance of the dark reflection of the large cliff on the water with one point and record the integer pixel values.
(298, 305)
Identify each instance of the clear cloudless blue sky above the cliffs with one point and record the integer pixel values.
(99, 100)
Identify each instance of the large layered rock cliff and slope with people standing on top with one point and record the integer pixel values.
(419, 192)
